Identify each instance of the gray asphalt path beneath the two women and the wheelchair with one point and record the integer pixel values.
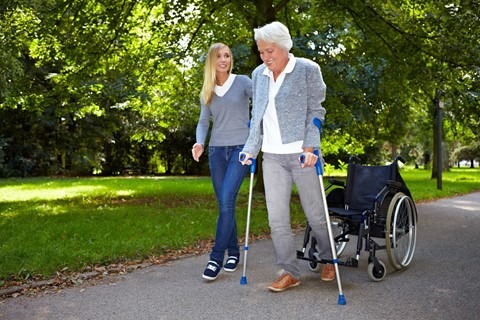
(442, 282)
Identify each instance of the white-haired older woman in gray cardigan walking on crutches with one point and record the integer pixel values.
(287, 95)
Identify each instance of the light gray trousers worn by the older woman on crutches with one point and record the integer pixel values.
(280, 171)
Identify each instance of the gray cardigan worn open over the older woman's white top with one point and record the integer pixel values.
(298, 102)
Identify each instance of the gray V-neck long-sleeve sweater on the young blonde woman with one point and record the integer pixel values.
(230, 114)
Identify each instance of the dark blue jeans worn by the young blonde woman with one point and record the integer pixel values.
(227, 177)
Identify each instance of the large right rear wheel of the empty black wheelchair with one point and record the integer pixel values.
(401, 230)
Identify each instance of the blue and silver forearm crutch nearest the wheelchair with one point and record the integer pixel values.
(318, 166)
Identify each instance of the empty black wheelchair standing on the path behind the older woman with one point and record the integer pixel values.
(375, 207)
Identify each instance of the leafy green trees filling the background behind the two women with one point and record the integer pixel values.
(112, 86)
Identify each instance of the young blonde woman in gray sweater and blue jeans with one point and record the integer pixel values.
(225, 99)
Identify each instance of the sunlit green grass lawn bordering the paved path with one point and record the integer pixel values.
(50, 224)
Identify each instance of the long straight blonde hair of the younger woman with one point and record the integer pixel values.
(210, 77)
